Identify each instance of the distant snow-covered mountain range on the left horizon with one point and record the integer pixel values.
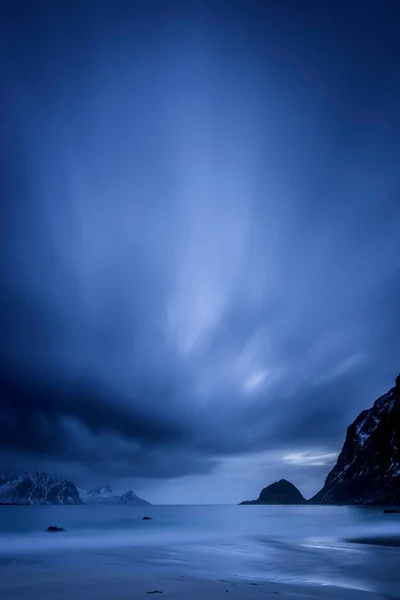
(40, 488)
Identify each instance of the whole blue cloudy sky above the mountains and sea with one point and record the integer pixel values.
(200, 249)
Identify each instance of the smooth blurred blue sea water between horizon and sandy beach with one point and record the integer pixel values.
(305, 544)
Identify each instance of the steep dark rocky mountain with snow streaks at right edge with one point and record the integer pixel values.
(367, 470)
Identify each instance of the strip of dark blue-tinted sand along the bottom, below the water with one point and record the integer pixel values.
(106, 586)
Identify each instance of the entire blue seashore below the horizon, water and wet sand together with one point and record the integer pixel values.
(199, 553)
